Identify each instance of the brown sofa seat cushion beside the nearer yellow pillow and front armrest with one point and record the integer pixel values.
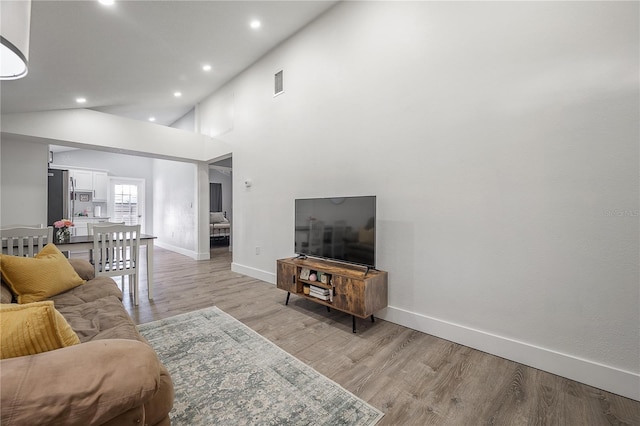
(104, 318)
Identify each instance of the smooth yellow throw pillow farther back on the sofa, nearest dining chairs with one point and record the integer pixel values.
(37, 278)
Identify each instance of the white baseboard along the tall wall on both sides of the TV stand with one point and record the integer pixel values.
(601, 376)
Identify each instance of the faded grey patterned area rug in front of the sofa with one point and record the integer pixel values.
(225, 373)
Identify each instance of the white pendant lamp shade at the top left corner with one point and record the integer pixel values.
(15, 22)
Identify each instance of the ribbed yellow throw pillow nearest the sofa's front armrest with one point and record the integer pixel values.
(33, 328)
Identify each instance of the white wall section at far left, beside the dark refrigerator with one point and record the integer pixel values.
(23, 179)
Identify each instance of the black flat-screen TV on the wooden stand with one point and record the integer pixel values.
(341, 228)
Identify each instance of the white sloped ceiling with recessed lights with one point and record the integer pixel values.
(129, 59)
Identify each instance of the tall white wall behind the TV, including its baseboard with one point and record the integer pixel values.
(501, 140)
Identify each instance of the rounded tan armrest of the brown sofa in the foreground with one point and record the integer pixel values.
(89, 383)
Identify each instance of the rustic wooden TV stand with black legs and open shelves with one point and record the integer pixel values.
(354, 290)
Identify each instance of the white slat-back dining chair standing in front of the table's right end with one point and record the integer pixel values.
(116, 250)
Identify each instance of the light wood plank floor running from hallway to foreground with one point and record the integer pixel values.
(414, 378)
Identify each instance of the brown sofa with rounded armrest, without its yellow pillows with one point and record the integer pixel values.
(113, 377)
